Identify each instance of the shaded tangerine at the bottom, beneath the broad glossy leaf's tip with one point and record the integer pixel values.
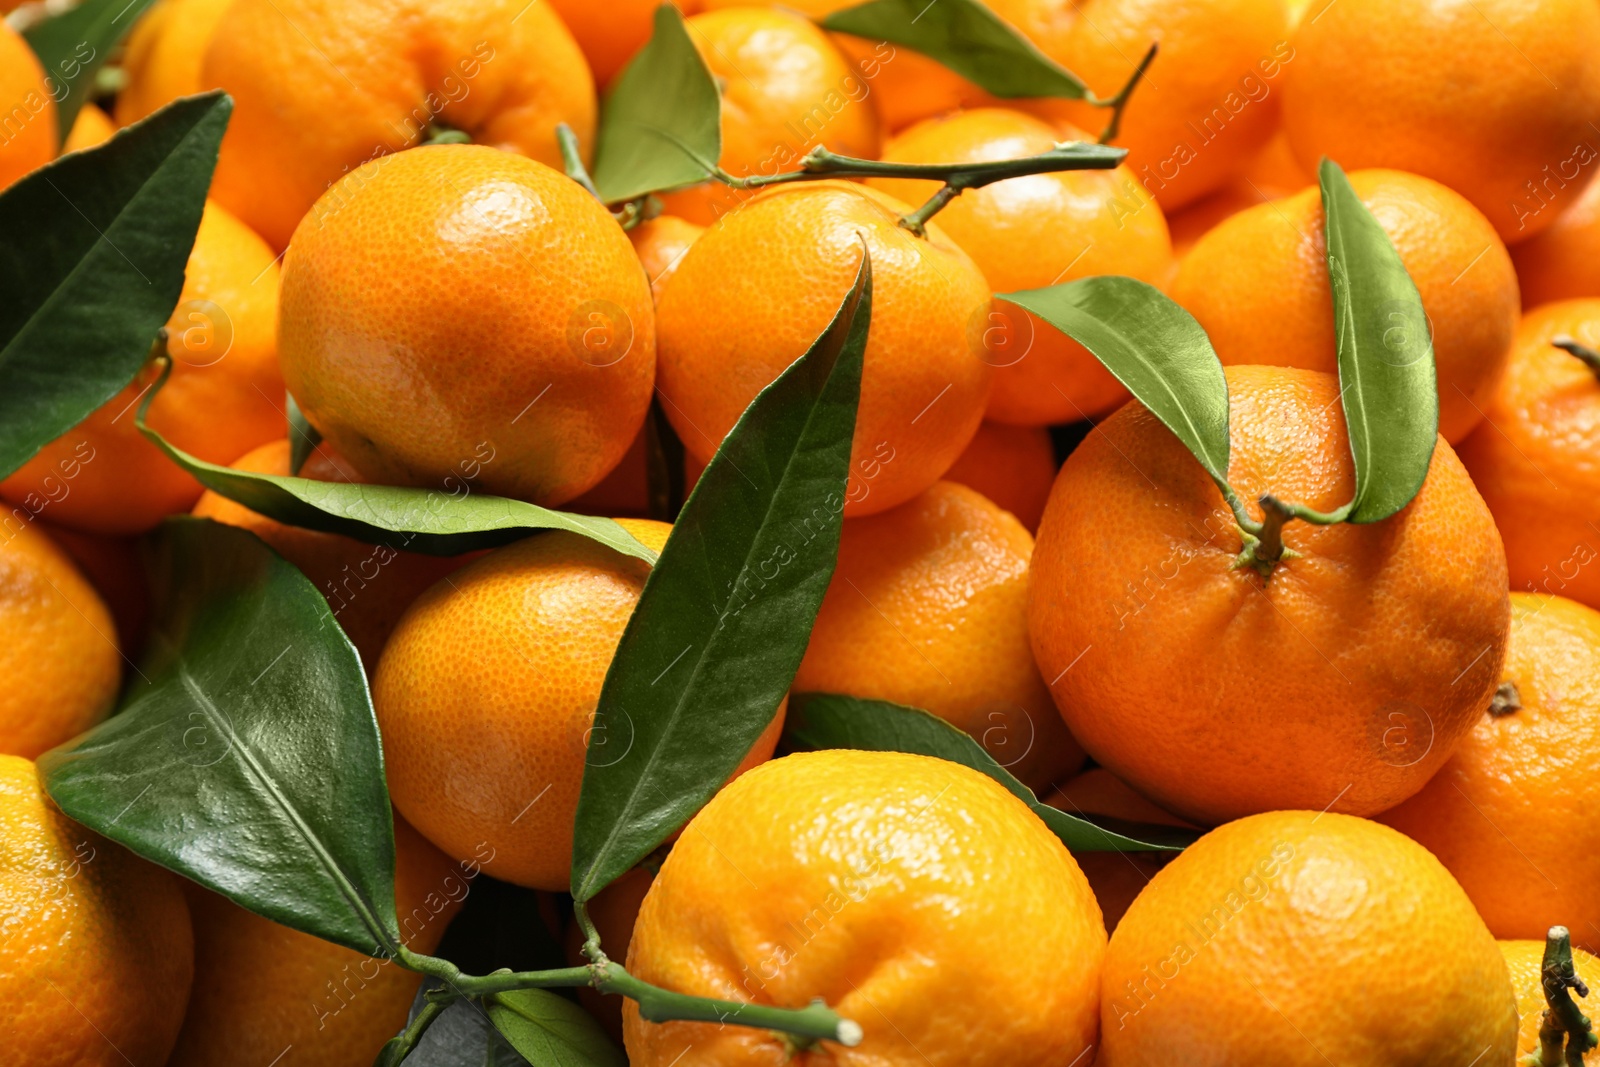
(265, 991)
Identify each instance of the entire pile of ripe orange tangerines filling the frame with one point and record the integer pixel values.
(1361, 754)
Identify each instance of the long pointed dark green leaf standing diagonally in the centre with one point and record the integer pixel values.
(729, 609)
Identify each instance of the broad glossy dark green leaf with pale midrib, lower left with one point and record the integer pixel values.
(246, 754)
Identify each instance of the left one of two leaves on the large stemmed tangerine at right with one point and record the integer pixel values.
(1154, 348)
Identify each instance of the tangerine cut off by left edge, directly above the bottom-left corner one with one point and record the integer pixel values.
(60, 653)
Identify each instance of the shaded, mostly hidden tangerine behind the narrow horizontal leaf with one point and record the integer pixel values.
(366, 585)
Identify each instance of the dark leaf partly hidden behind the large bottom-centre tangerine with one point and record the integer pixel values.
(825, 721)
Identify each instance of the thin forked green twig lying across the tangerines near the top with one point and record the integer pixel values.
(820, 164)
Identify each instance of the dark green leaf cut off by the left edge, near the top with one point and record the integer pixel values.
(94, 265)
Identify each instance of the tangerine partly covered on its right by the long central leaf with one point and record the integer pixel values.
(487, 698)
